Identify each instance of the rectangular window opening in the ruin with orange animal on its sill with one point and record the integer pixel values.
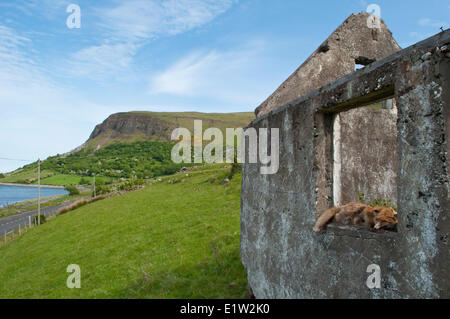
(364, 167)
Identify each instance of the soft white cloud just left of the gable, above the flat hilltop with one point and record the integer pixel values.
(224, 76)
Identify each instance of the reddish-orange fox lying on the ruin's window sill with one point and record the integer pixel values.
(356, 214)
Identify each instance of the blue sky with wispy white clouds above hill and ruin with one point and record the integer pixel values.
(57, 83)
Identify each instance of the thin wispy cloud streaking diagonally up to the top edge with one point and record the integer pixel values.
(131, 24)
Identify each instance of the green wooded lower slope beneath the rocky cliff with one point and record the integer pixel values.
(144, 159)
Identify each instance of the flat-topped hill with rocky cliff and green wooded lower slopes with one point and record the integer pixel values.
(125, 145)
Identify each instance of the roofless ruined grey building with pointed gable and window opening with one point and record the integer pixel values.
(381, 131)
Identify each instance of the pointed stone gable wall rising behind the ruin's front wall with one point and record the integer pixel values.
(356, 41)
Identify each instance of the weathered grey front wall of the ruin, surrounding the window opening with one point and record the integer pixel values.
(284, 258)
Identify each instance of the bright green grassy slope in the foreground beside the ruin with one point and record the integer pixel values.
(153, 243)
